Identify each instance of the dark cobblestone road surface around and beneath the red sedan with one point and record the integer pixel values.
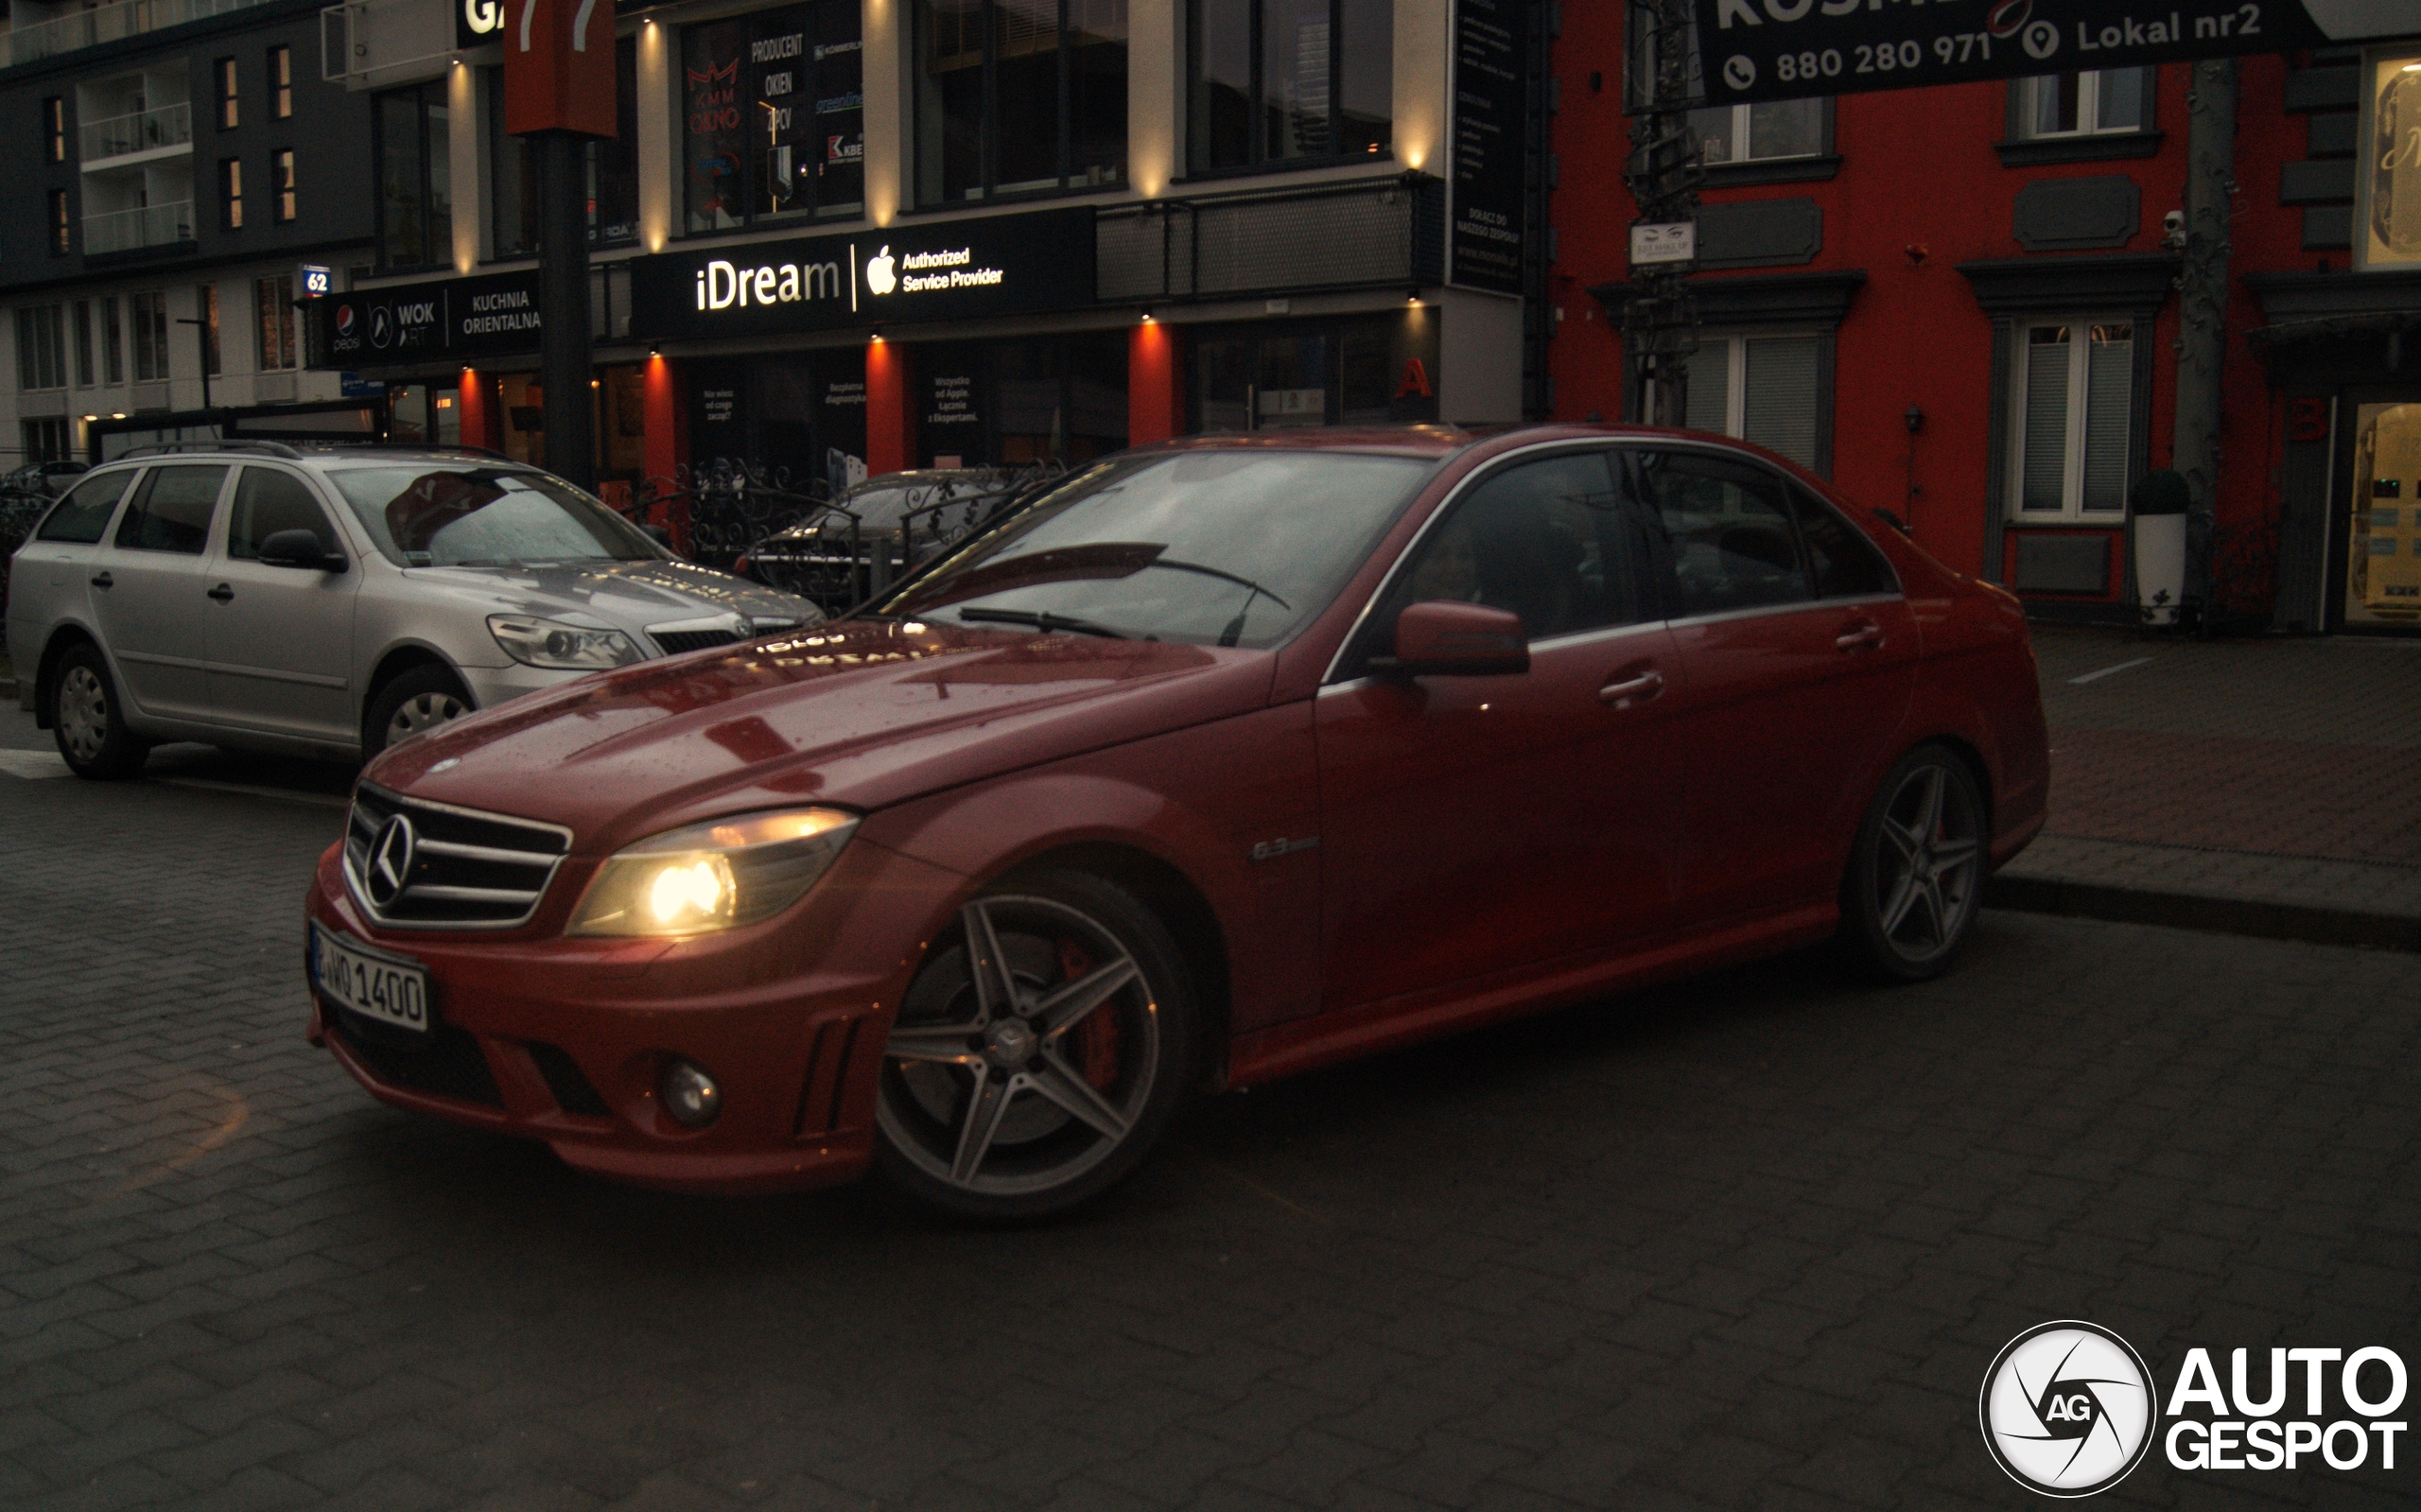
(1744, 1242)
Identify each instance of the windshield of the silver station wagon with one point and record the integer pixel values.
(485, 516)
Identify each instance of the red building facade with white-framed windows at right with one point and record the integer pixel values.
(1960, 306)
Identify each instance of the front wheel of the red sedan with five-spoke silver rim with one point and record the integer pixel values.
(1076, 1095)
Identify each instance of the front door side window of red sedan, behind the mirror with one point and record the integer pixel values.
(1546, 541)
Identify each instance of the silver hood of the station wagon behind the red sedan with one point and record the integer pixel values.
(619, 594)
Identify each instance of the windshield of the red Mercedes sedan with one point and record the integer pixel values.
(1217, 548)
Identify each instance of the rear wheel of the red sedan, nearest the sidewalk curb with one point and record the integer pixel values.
(1919, 870)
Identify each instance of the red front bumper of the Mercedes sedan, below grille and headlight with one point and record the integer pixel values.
(565, 1039)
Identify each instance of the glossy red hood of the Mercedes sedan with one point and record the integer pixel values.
(856, 715)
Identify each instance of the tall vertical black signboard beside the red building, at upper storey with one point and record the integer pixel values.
(1493, 110)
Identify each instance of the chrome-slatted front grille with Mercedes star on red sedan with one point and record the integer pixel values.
(418, 865)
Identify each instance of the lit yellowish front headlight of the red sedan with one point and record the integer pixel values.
(713, 877)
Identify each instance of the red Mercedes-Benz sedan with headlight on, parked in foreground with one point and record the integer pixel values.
(1221, 761)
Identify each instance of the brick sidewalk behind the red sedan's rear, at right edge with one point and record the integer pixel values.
(2262, 787)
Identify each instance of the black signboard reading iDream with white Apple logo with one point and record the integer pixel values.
(907, 272)
